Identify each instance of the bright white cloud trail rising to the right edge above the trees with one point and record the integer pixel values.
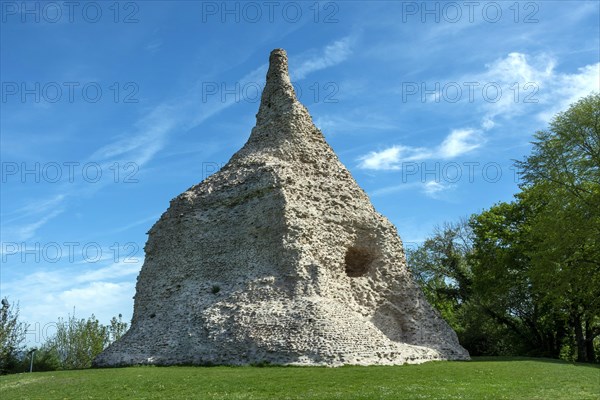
(526, 84)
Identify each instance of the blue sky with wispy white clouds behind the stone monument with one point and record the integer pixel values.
(110, 110)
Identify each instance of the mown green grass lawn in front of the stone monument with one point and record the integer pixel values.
(482, 378)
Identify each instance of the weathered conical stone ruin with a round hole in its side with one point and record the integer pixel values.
(279, 257)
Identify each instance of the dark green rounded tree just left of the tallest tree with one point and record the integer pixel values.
(505, 285)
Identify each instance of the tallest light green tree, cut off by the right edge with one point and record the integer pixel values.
(561, 183)
